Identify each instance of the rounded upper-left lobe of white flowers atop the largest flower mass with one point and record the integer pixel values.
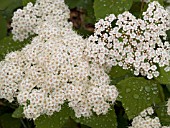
(26, 21)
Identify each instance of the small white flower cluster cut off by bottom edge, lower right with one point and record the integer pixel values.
(144, 120)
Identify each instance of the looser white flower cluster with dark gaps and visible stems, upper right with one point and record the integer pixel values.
(134, 44)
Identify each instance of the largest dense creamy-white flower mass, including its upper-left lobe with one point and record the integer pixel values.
(54, 68)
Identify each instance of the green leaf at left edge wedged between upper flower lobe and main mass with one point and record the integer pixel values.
(7, 45)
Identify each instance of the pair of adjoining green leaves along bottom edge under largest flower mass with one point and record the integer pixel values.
(58, 119)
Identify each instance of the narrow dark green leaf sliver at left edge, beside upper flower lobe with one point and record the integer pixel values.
(3, 27)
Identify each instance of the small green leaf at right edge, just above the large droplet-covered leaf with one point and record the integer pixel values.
(164, 77)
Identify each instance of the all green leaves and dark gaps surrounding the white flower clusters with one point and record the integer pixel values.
(136, 93)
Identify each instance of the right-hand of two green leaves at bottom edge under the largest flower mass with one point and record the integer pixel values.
(101, 121)
